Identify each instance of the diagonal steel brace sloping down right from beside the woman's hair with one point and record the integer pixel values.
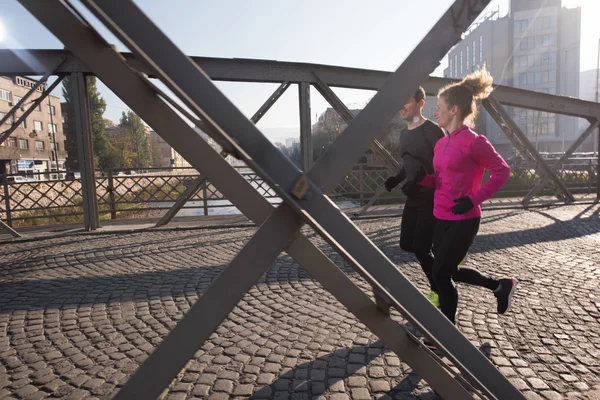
(516, 136)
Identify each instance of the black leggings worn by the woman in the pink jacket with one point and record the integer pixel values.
(451, 242)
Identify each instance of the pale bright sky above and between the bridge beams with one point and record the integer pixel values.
(352, 33)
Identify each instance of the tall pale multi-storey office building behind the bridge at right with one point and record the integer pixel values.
(535, 47)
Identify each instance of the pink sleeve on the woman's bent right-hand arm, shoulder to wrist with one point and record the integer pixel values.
(486, 156)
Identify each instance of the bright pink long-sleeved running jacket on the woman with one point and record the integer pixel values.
(459, 162)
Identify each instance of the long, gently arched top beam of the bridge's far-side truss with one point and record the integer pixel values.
(18, 62)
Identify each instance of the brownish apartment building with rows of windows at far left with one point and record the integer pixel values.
(38, 145)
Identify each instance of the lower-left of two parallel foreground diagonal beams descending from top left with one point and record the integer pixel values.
(139, 96)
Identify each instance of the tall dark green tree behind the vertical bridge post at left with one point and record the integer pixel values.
(103, 153)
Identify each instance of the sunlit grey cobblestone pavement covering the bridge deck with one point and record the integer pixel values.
(78, 314)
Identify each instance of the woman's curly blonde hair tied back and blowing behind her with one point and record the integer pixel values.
(475, 86)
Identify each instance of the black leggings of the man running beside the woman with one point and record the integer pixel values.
(416, 236)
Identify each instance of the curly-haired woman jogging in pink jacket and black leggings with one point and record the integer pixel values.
(459, 162)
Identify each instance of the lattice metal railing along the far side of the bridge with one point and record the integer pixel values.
(149, 192)
